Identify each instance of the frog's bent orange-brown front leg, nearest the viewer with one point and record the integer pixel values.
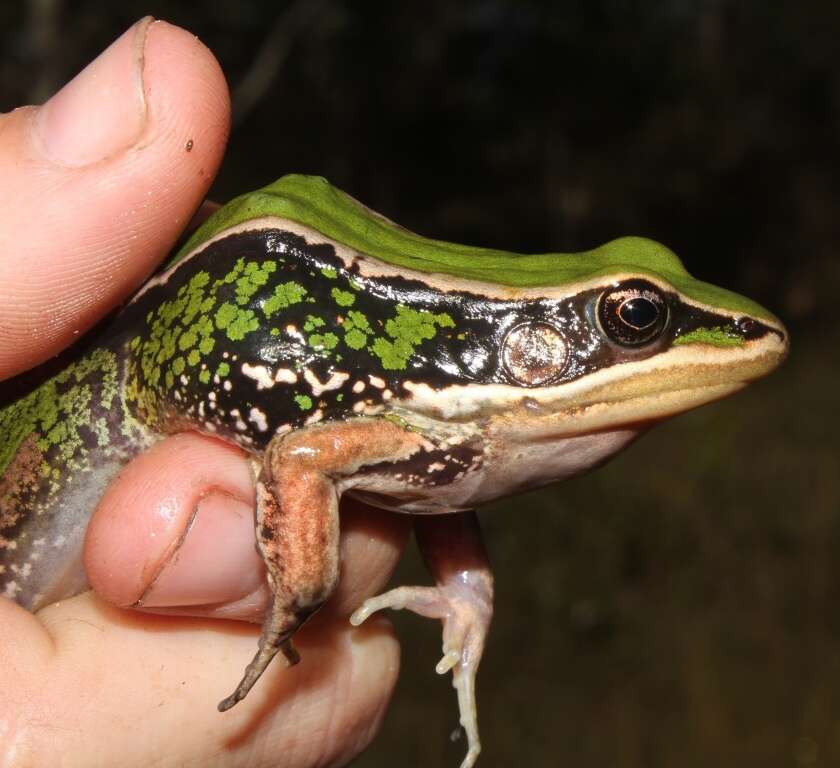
(297, 522)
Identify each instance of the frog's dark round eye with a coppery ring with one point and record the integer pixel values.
(633, 313)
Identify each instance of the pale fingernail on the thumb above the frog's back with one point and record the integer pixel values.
(102, 110)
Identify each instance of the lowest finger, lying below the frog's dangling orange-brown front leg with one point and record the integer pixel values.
(99, 686)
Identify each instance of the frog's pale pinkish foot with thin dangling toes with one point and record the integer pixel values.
(465, 606)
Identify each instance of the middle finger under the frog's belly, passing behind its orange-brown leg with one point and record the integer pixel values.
(175, 533)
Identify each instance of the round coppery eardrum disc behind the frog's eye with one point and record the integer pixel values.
(534, 353)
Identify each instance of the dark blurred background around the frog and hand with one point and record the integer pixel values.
(681, 606)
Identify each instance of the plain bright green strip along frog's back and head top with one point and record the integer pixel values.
(315, 203)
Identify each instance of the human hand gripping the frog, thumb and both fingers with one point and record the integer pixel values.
(95, 187)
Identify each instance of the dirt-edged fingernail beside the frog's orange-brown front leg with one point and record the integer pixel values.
(216, 561)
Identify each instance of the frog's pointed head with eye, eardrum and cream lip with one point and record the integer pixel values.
(620, 335)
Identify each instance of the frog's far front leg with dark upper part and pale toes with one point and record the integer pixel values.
(462, 600)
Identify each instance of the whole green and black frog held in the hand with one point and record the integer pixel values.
(347, 355)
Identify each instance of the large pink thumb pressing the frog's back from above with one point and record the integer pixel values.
(96, 185)
